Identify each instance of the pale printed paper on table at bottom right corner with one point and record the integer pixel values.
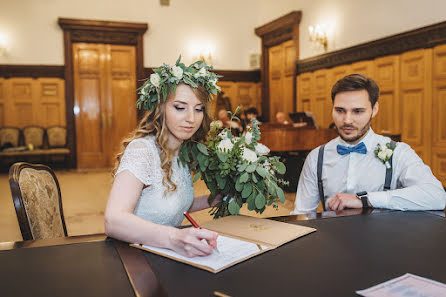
(408, 285)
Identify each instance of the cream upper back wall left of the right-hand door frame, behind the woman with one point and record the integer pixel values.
(226, 26)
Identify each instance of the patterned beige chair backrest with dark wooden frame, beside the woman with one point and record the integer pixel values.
(37, 201)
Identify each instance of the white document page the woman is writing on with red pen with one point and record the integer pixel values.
(230, 251)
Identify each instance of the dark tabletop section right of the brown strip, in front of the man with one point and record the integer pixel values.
(345, 254)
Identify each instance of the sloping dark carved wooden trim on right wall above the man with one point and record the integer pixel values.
(425, 37)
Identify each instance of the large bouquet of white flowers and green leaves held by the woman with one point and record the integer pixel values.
(236, 167)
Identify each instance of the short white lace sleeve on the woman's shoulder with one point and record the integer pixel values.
(140, 159)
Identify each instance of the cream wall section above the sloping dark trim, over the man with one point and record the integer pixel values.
(351, 22)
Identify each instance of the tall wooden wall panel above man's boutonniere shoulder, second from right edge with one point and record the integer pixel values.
(415, 100)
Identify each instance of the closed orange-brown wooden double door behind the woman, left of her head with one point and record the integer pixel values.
(104, 100)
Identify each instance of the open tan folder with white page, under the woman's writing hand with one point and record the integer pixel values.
(240, 238)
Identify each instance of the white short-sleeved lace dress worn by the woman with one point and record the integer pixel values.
(141, 158)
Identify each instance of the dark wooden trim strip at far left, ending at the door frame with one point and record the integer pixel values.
(34, 71)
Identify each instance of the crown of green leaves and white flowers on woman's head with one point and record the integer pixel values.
(166, 78)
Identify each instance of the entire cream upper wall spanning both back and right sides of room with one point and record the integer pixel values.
(226, 26)
